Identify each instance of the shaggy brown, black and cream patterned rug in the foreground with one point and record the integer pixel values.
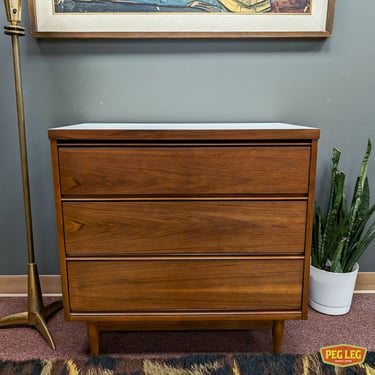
(286, 364)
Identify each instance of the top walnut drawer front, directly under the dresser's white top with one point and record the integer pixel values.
(184, 170)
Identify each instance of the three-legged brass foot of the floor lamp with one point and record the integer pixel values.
(37, 313)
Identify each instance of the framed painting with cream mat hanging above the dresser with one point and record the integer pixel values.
(180, 18)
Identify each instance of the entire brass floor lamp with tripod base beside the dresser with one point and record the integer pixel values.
(37, 312)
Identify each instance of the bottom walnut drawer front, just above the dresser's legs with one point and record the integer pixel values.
(183, 285)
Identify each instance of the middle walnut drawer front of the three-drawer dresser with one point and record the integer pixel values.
(183, 227)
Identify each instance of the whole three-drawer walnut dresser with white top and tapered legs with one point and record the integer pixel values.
(184, 226)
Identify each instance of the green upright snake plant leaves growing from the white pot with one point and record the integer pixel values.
(343, 233)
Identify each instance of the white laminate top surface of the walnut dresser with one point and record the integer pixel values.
(184, 126)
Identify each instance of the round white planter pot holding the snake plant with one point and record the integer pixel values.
(331, 293)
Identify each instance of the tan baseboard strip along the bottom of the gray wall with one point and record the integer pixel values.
(16, 285)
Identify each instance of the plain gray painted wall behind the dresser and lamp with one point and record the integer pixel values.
(324, 83)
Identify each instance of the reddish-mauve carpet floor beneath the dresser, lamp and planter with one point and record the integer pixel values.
(355, 328)
